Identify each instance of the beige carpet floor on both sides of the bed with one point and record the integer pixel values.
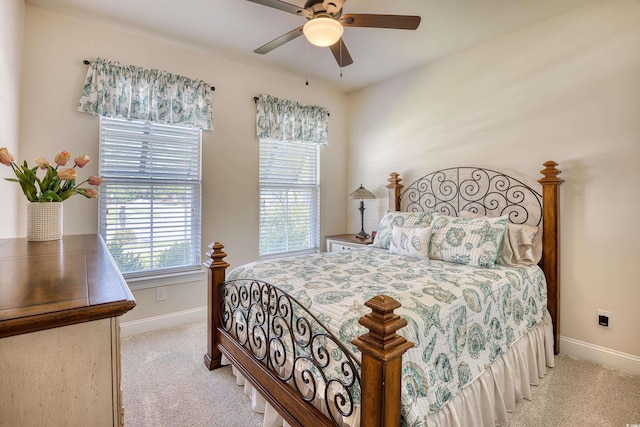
(165, 383)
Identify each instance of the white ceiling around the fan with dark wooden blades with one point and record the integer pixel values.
(235, 28)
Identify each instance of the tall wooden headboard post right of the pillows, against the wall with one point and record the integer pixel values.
(551, 243)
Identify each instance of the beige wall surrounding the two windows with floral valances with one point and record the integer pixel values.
(53, 74)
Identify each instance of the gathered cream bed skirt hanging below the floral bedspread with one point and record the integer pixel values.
(484, 402)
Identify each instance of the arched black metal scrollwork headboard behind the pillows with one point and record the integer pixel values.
(479, 190)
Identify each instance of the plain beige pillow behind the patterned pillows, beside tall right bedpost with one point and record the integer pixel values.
(522, 243)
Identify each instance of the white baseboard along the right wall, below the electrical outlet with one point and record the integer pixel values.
(602, 355)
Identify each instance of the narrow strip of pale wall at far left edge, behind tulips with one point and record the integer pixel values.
(11, 30)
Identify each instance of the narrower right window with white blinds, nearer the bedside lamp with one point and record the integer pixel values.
(289, 197)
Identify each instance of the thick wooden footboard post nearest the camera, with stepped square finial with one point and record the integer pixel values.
(382, 351)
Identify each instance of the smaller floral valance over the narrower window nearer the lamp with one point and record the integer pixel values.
(285, 120)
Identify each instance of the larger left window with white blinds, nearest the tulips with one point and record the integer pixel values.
(149, 212)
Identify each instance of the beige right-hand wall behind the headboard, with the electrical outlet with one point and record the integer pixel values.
(566, 89)
